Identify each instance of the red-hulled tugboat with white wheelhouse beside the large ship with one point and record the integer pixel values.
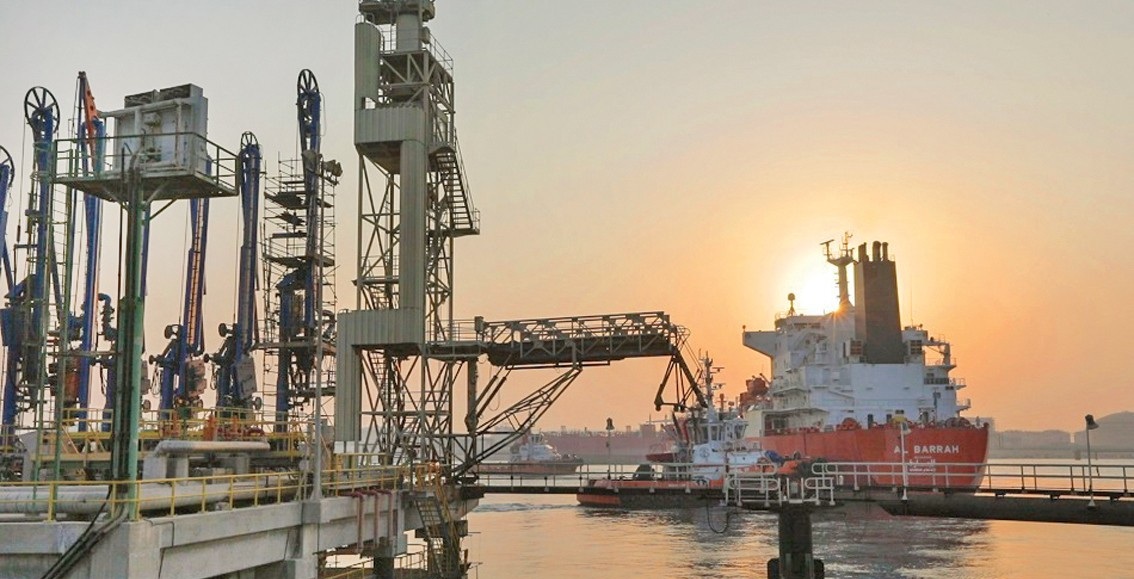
(709, 444)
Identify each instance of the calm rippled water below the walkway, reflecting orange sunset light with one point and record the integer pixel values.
(553, 538)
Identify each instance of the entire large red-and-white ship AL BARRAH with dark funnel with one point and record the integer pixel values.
(854, 386)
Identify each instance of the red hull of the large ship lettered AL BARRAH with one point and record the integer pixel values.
(935, 456)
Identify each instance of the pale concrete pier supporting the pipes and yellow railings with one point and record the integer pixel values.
(276, 541)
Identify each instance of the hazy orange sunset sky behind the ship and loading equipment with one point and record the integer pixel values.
(692, 157)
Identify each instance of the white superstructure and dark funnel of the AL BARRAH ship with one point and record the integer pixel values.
(857, 365)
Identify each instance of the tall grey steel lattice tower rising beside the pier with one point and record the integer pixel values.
(401, 351)
